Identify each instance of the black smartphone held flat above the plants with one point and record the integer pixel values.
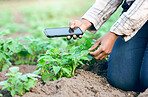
(62, 32)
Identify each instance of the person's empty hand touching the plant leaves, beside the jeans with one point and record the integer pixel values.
(106, 43)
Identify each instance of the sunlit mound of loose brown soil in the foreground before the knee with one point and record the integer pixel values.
(83, 84)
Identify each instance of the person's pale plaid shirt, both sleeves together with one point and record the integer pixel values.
(129, 22)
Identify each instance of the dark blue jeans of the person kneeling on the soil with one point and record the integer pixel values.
(128, 62)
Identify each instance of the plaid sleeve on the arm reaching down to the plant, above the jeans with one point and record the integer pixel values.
(131, 21)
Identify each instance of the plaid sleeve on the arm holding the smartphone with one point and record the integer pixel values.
(101, 11)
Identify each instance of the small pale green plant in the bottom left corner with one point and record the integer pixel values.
(17, 83)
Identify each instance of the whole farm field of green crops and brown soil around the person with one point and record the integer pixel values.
(32, 65)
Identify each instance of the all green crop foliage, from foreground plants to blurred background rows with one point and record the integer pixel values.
(55, 57)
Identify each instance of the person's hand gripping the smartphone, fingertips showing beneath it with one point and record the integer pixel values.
(82, 24)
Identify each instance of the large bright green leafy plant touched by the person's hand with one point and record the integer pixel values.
(57, 63)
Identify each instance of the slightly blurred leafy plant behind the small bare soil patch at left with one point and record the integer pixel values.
(25, 50)
